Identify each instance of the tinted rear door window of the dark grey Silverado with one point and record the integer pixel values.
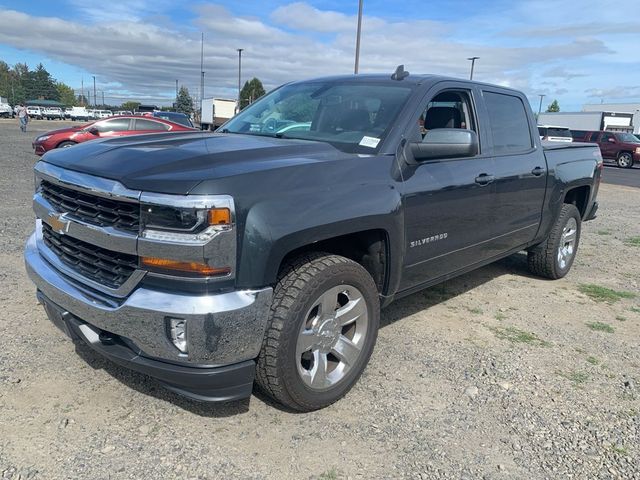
(509, 124)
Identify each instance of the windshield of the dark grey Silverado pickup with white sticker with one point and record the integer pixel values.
(354, 117)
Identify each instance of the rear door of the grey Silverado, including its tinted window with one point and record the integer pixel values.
(520, 170)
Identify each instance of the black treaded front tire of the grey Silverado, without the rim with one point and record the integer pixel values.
(301, 283)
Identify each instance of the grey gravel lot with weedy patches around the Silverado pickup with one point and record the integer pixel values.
(494, 375)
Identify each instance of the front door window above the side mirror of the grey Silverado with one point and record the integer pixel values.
(449, 109)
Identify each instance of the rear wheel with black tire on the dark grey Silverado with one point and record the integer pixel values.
(546, 259)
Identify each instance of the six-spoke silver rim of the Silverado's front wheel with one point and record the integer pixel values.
(332, 337)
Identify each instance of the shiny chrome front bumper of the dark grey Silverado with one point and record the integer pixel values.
(222, 329)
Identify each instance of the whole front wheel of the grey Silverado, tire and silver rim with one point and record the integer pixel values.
(321, 332)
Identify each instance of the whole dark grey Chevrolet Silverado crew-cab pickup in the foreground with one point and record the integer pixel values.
(262, 253)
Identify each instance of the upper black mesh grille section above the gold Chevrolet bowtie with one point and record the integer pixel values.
(100, 211)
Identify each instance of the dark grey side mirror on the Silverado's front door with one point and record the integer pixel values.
(442, 143)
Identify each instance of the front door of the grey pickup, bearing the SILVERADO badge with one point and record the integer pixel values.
(447, 203)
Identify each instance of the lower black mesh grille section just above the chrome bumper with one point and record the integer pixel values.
(104, 266)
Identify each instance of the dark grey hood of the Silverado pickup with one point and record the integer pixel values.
(175, 163)
